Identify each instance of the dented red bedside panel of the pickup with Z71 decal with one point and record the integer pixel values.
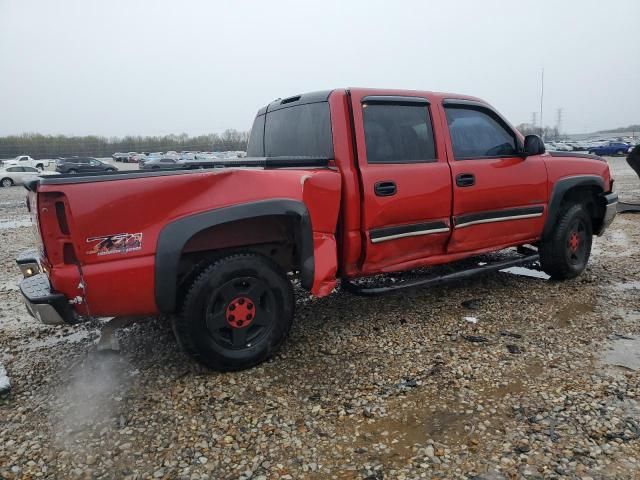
(122, 282)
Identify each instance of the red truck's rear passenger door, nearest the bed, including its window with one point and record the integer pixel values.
(405, 178)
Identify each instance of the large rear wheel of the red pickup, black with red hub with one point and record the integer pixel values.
(236, 313)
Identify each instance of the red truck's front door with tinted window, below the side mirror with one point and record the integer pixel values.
(499, 197)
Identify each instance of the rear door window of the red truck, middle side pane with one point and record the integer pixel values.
(398, 133)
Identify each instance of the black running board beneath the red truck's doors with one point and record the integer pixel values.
(440, 280)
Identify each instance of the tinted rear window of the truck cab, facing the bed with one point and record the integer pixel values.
(296, 131)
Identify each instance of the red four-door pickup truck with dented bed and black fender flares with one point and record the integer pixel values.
(338, 184)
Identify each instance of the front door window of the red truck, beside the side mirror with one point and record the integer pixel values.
(478, 134)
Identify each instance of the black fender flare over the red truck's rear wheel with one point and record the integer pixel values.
(174, 236)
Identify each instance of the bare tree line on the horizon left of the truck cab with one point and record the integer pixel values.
(53, 146)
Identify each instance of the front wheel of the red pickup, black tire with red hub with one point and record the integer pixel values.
(566, 253)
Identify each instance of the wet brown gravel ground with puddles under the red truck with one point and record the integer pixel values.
(505, 376)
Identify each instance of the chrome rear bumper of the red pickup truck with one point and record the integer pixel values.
(42, 302)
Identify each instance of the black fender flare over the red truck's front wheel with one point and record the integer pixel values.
(573, 187)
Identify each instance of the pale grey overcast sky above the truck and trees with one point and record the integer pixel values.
(155, 67)
